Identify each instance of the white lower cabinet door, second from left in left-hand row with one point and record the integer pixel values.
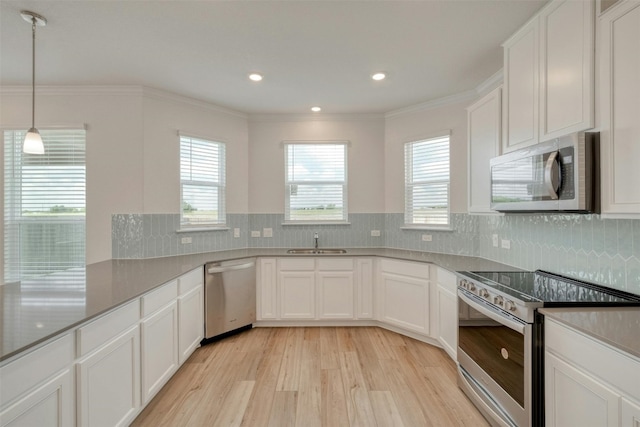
(108, 388)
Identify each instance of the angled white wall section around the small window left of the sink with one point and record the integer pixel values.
(164, 116)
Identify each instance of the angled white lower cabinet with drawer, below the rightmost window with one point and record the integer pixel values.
(403, 295)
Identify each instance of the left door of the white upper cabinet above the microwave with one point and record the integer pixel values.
(520, 97)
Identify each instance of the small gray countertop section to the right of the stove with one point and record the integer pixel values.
(616, 326)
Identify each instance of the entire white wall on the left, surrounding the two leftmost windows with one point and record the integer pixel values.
(132, 147)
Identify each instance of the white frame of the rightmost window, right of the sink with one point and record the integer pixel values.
(435, 182)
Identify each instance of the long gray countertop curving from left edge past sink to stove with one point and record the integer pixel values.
(34, 311)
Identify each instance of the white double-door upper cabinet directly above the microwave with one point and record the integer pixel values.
(549, 75)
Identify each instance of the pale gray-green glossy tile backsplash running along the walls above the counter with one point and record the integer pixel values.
(587, 247)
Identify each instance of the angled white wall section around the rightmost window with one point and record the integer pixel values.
(423, 123)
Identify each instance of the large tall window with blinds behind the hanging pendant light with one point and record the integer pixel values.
(45, 206)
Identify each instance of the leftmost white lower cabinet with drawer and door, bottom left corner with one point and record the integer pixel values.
(37, 389)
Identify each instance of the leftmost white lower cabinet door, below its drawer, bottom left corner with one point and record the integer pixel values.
(49, 404)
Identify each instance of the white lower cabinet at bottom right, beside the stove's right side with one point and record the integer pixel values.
(587, 382)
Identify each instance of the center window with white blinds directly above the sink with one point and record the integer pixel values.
(316, 182)
